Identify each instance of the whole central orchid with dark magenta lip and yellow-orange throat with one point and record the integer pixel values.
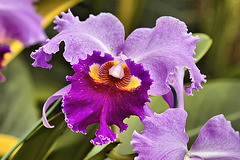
(111, 80)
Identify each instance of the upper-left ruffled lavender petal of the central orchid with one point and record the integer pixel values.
(103, 32)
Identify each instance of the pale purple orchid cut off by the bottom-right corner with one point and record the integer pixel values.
(164, 137)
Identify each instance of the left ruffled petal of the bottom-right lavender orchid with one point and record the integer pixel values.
(164, 136)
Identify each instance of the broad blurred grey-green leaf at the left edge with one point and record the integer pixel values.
(18, 110)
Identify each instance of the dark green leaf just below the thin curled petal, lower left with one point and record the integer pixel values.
(37, 145)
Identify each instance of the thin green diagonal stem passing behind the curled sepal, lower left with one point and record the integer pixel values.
(31, 130)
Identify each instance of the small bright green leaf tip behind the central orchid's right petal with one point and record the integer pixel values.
(202, 46)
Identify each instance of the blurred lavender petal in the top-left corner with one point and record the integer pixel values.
(19, 20)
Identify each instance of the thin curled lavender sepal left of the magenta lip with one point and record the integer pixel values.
(50, 100)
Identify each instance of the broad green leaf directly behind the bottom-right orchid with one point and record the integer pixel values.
(217, 97)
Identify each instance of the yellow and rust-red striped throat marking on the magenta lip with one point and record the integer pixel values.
(100, 75)
